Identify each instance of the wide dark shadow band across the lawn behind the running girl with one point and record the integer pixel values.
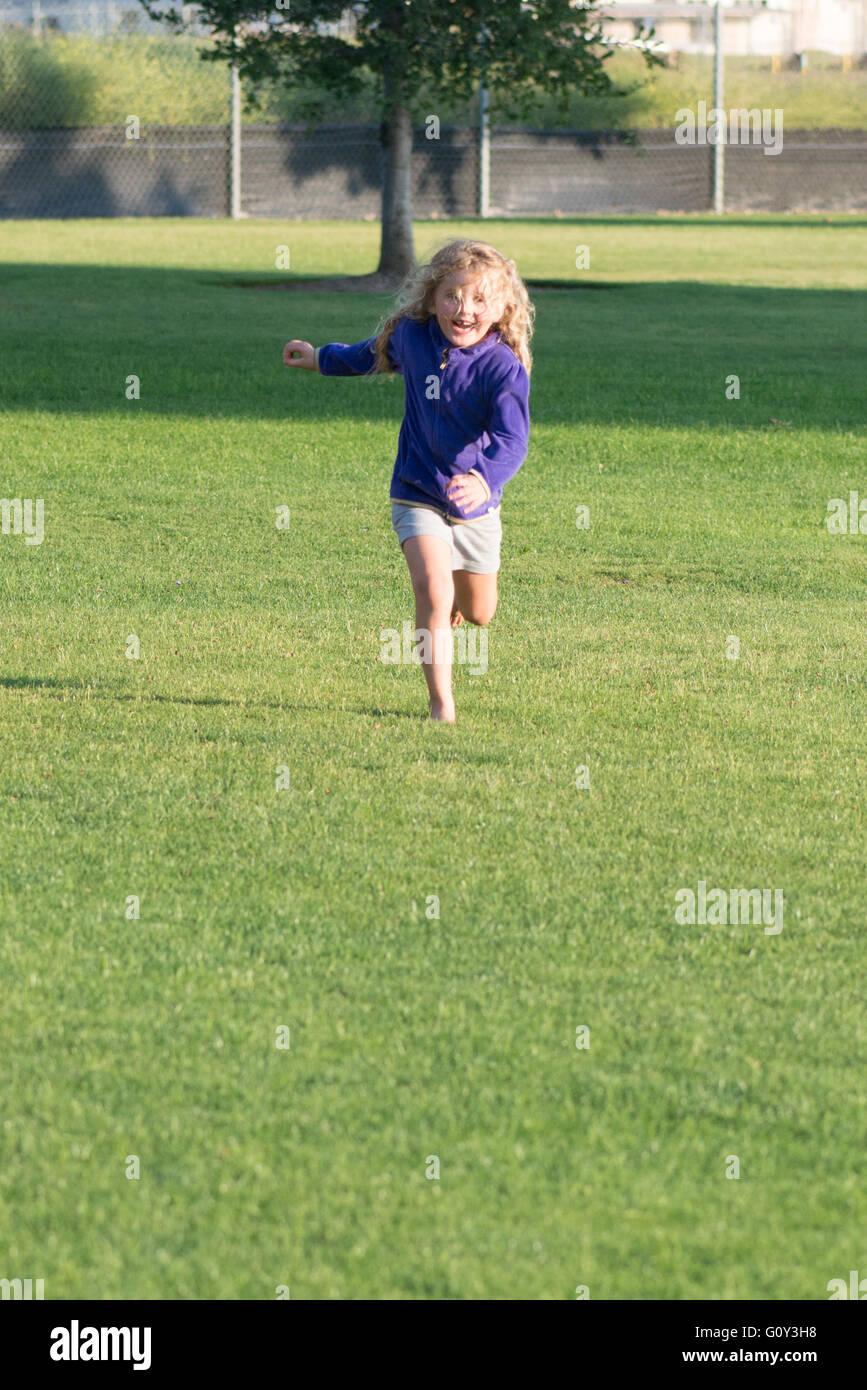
(205, 350)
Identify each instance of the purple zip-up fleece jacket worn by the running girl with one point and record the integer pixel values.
(479, 422)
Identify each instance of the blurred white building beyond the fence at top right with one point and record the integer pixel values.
(780, 27)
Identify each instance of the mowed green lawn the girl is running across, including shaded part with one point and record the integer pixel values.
(418, 1038)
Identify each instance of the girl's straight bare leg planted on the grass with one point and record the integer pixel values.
(430, 562)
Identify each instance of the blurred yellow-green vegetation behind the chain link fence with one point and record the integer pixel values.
(85, 81)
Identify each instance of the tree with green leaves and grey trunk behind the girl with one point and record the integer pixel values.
(554, 47)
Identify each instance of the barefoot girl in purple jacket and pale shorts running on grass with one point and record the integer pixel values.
(461, 338)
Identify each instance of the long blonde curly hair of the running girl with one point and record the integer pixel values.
(498, 275)
